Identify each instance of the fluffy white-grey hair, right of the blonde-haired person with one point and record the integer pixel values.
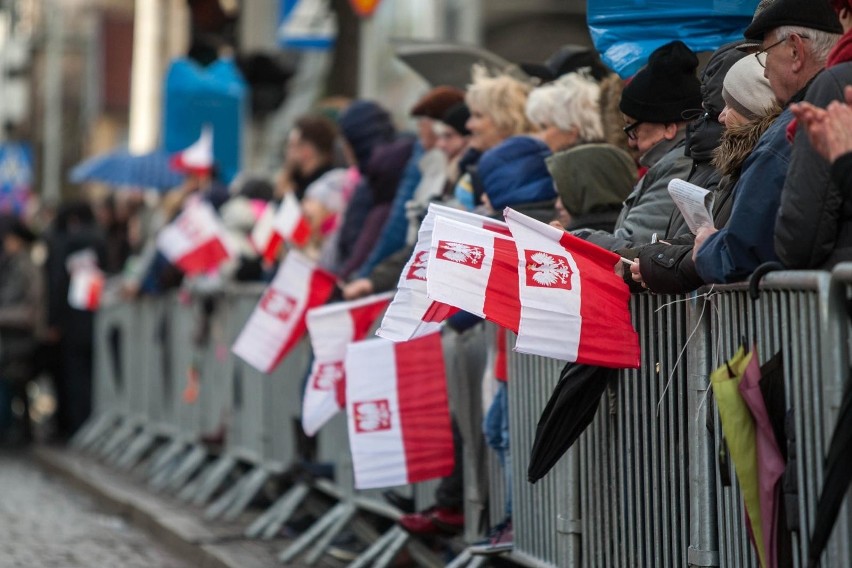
(572, 101)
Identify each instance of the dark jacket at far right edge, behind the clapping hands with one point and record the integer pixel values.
(814, 224)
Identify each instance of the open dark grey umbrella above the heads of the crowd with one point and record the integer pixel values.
(446, 63)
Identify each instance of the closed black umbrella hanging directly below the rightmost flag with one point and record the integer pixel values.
(571, 408)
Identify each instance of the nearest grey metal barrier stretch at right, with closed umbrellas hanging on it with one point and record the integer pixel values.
(642, 487)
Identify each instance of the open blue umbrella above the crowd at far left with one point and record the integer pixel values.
(121, 168)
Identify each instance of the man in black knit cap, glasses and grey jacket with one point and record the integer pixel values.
(654, 104)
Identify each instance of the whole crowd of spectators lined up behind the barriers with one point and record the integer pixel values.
(766, 127)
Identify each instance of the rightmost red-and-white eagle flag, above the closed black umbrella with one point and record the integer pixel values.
(574, 306)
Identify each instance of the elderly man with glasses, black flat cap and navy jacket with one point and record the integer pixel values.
(792, 39)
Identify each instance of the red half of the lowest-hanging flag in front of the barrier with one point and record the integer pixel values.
(423, 408)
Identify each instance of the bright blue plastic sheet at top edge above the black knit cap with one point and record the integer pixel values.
(625, 32)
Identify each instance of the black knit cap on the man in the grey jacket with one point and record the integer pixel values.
(666, 89)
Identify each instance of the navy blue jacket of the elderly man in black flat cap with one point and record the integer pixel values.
(747, 241)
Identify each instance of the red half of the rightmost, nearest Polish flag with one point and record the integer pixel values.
(607, 337)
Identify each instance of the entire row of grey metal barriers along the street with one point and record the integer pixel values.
(641, 487)
